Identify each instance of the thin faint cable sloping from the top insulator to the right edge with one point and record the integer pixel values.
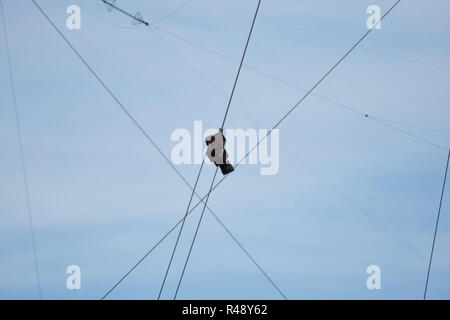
(288, 83)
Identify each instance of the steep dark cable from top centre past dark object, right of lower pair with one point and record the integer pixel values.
(221, 130)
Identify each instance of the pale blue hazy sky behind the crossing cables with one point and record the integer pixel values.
(350, 192)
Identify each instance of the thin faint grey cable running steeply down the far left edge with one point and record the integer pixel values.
(22, 155)
